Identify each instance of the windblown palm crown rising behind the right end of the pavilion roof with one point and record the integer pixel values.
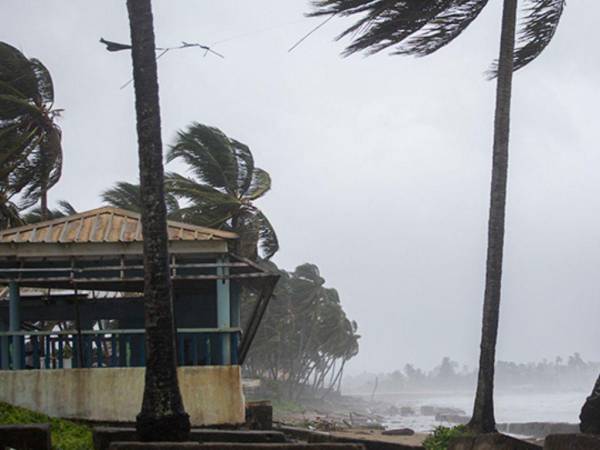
(223, 188)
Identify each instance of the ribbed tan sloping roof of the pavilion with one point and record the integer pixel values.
(106, 224)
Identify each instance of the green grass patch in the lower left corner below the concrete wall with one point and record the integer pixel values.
(66, 435)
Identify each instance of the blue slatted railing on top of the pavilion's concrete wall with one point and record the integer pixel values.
(112, 348)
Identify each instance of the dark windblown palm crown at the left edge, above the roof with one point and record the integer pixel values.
(31, 158)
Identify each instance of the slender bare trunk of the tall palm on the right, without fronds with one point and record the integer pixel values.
(483, 411)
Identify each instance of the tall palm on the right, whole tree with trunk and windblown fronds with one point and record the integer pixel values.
(421, 27)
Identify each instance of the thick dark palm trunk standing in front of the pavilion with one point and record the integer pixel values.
(162, 417)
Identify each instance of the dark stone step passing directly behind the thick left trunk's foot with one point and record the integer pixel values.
(103, 436)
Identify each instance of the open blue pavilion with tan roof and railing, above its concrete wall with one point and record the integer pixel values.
(73, 296)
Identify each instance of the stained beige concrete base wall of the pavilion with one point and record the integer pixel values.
(211, 394)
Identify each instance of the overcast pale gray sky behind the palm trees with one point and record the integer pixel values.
(380, 165)
